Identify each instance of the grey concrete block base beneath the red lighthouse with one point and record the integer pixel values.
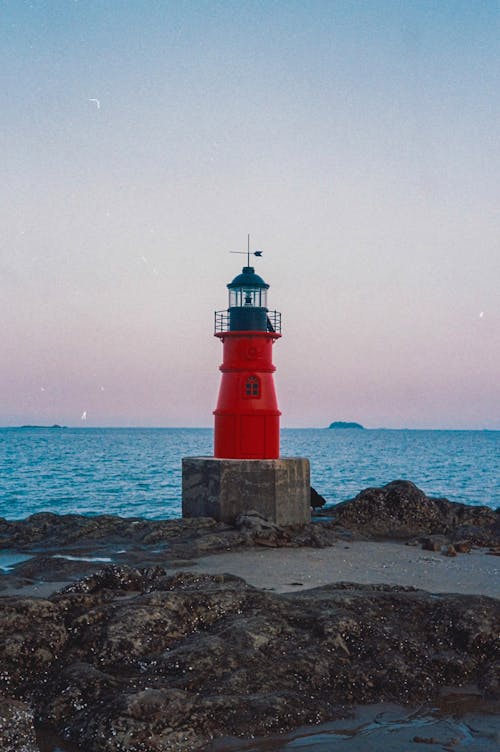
(279, 490)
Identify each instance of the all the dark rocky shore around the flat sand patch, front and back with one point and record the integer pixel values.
(125, 653)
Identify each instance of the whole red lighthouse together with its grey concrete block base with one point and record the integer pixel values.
(247, 472)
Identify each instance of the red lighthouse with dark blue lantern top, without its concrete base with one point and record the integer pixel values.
(247, 415)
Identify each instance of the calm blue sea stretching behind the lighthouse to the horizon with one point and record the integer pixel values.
(137, 472)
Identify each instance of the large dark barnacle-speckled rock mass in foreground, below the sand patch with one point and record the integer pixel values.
(136, 660)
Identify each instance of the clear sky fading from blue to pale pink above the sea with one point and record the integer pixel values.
(357, 142)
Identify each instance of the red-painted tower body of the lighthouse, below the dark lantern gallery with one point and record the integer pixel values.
(247, 415)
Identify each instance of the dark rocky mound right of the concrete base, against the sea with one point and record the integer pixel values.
(400, 510)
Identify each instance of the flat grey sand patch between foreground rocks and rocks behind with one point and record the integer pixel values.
(292, 569)
